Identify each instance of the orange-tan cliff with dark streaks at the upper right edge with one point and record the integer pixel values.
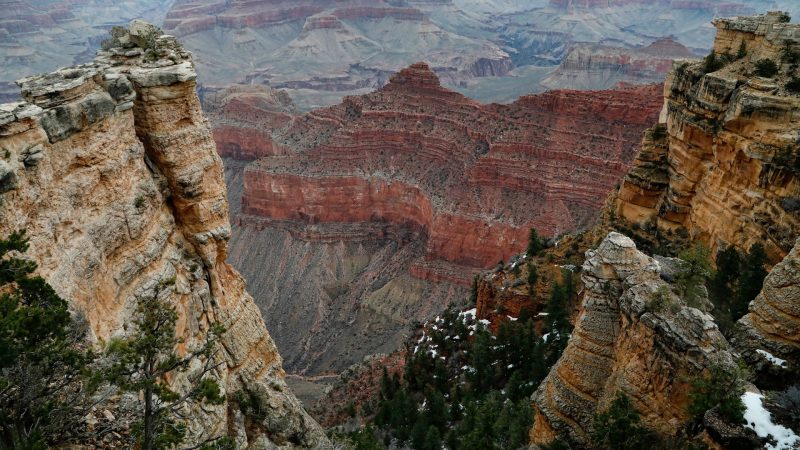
(726, 168)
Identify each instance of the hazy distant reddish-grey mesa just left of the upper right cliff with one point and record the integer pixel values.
(597, 66)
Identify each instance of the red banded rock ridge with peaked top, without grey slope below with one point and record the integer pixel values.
(474, 177)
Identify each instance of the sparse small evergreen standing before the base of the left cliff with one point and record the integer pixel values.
(144, 361)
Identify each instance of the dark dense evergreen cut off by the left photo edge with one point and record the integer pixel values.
(42, 390)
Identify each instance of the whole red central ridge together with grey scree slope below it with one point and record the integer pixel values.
(358, 219)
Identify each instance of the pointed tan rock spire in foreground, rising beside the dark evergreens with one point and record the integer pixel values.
(633, 335)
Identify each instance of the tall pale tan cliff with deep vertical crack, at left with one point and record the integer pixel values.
(111, 168)
